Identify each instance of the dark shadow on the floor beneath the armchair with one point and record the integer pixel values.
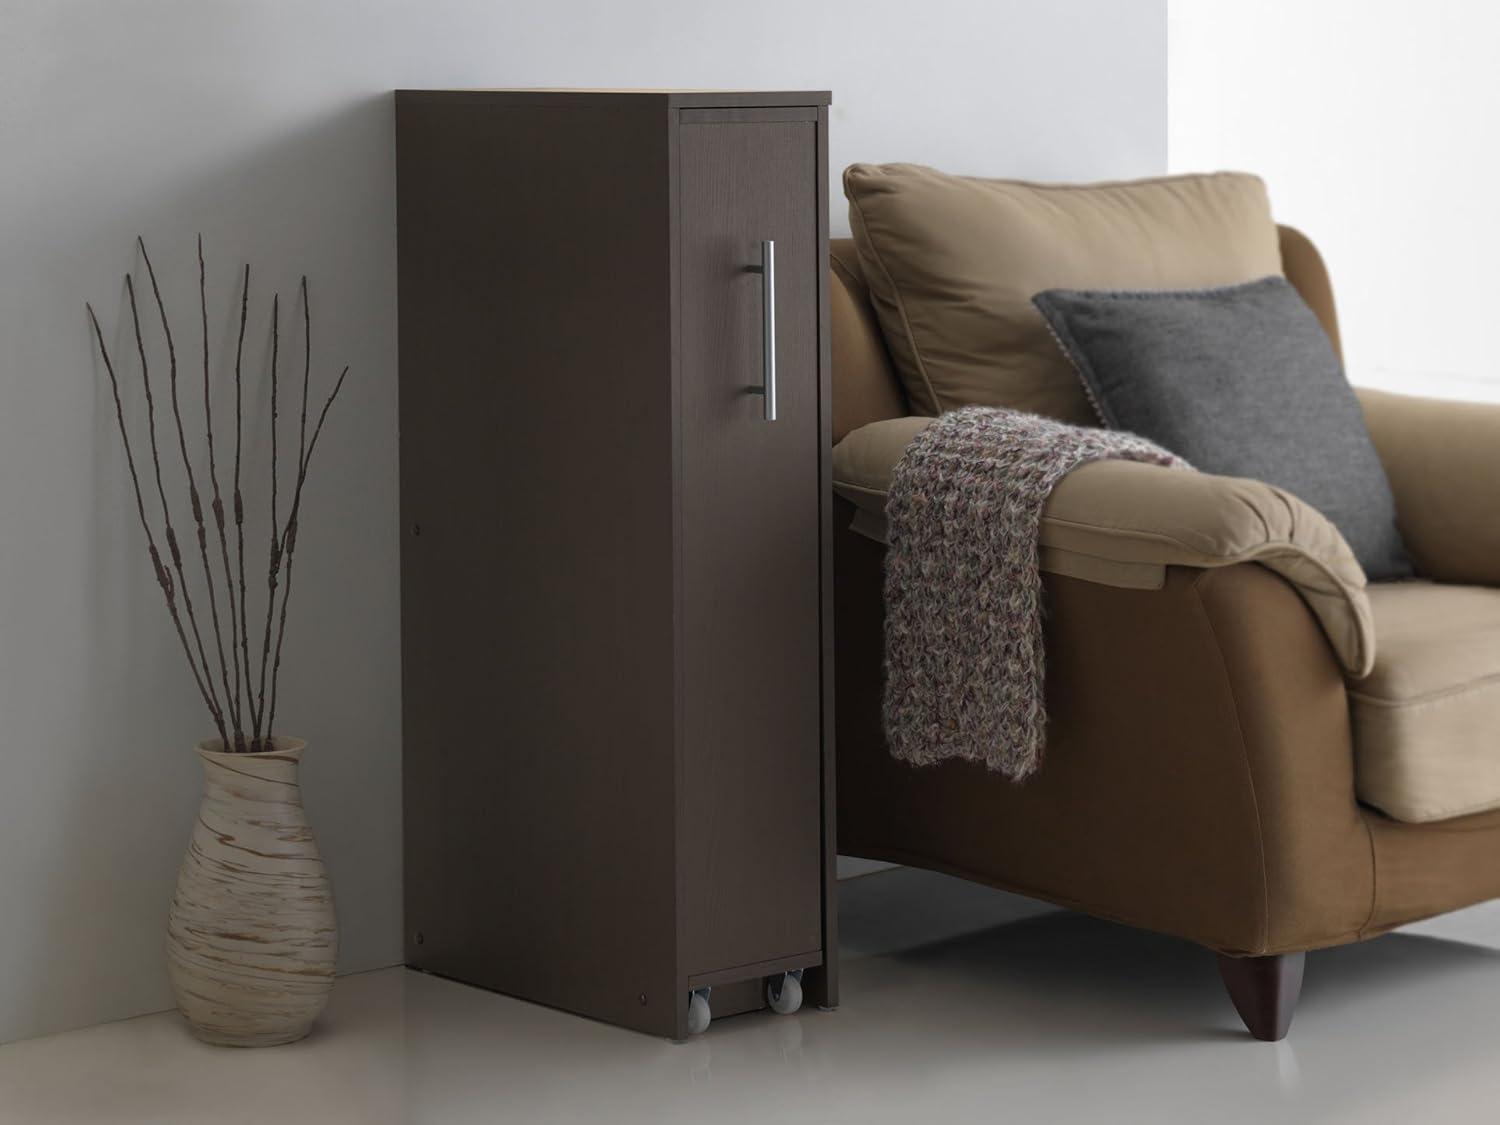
(1082, 976)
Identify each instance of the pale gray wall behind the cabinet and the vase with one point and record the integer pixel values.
(268, 127)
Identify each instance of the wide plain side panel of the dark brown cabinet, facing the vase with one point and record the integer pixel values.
(536, 475)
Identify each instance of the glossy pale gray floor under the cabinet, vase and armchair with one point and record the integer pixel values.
(955, 1010)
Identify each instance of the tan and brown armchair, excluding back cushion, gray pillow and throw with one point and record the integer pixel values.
(1249, 746)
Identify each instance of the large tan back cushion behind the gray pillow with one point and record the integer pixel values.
(952, 265)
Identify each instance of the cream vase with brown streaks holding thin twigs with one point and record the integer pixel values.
(251, 934)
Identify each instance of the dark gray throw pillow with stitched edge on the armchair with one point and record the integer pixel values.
(1241, 382)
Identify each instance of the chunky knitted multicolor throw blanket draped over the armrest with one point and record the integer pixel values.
(964, 631)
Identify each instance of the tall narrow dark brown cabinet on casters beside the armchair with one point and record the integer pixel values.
(616, 557)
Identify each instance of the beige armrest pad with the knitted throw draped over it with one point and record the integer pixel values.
(1123, 524)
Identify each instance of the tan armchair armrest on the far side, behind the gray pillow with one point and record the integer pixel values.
(1444, 463)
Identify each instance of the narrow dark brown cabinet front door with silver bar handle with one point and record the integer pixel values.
(751, 827)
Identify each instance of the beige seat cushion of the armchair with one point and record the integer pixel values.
(1427, 719)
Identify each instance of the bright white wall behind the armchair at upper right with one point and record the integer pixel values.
(1372, 122)
